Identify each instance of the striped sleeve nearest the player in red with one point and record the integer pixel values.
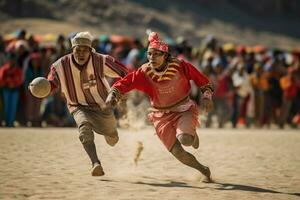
(114, 68)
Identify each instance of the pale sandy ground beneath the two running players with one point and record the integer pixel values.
(246, 164)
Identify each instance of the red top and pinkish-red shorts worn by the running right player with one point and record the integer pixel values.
(167, 92)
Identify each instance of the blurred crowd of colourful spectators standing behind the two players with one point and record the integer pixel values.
(255, 86)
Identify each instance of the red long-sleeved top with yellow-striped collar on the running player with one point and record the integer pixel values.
(164, 90)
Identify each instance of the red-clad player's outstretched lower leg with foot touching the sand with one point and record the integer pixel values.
(189, 160)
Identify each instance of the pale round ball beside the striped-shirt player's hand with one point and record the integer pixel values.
(40, 87)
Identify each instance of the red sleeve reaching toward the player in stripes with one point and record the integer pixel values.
(133, 80)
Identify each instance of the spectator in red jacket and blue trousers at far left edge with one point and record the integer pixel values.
(11, 78)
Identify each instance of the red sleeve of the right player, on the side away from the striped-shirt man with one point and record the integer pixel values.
(194, 74)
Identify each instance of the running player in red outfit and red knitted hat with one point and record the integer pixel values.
(166, 80)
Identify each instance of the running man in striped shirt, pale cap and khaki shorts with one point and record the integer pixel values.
(81, 78)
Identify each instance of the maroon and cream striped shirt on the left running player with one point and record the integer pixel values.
(85, 86)
